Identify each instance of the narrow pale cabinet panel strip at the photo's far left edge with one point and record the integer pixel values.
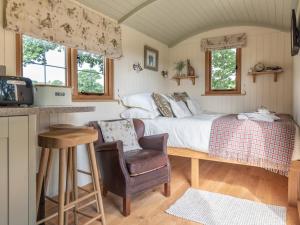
(4, 170)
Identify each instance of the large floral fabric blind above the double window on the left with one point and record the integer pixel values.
(65, 22)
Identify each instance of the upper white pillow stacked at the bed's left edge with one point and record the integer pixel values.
(142, 100)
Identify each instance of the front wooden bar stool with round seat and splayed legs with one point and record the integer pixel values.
(65, 141)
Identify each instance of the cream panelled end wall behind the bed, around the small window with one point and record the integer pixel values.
(264, 45)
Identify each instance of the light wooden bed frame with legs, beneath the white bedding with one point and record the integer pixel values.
(196, 156)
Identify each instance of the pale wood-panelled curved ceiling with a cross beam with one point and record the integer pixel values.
(171, 21)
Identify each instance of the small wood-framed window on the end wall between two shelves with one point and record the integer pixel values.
(223, 72)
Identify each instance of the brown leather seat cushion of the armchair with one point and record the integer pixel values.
(142, 161)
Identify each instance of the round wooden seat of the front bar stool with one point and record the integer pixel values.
(67, 138)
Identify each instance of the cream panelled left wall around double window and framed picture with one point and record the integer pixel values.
(127, 81)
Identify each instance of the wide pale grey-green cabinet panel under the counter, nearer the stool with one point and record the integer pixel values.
(18, 170)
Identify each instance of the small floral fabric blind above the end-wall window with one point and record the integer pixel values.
(224, 42)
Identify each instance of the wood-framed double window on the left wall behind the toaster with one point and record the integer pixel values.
(90, 75)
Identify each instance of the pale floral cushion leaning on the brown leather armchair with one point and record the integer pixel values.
(122, 130)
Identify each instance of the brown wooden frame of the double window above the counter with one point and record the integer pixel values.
(72, 75)
